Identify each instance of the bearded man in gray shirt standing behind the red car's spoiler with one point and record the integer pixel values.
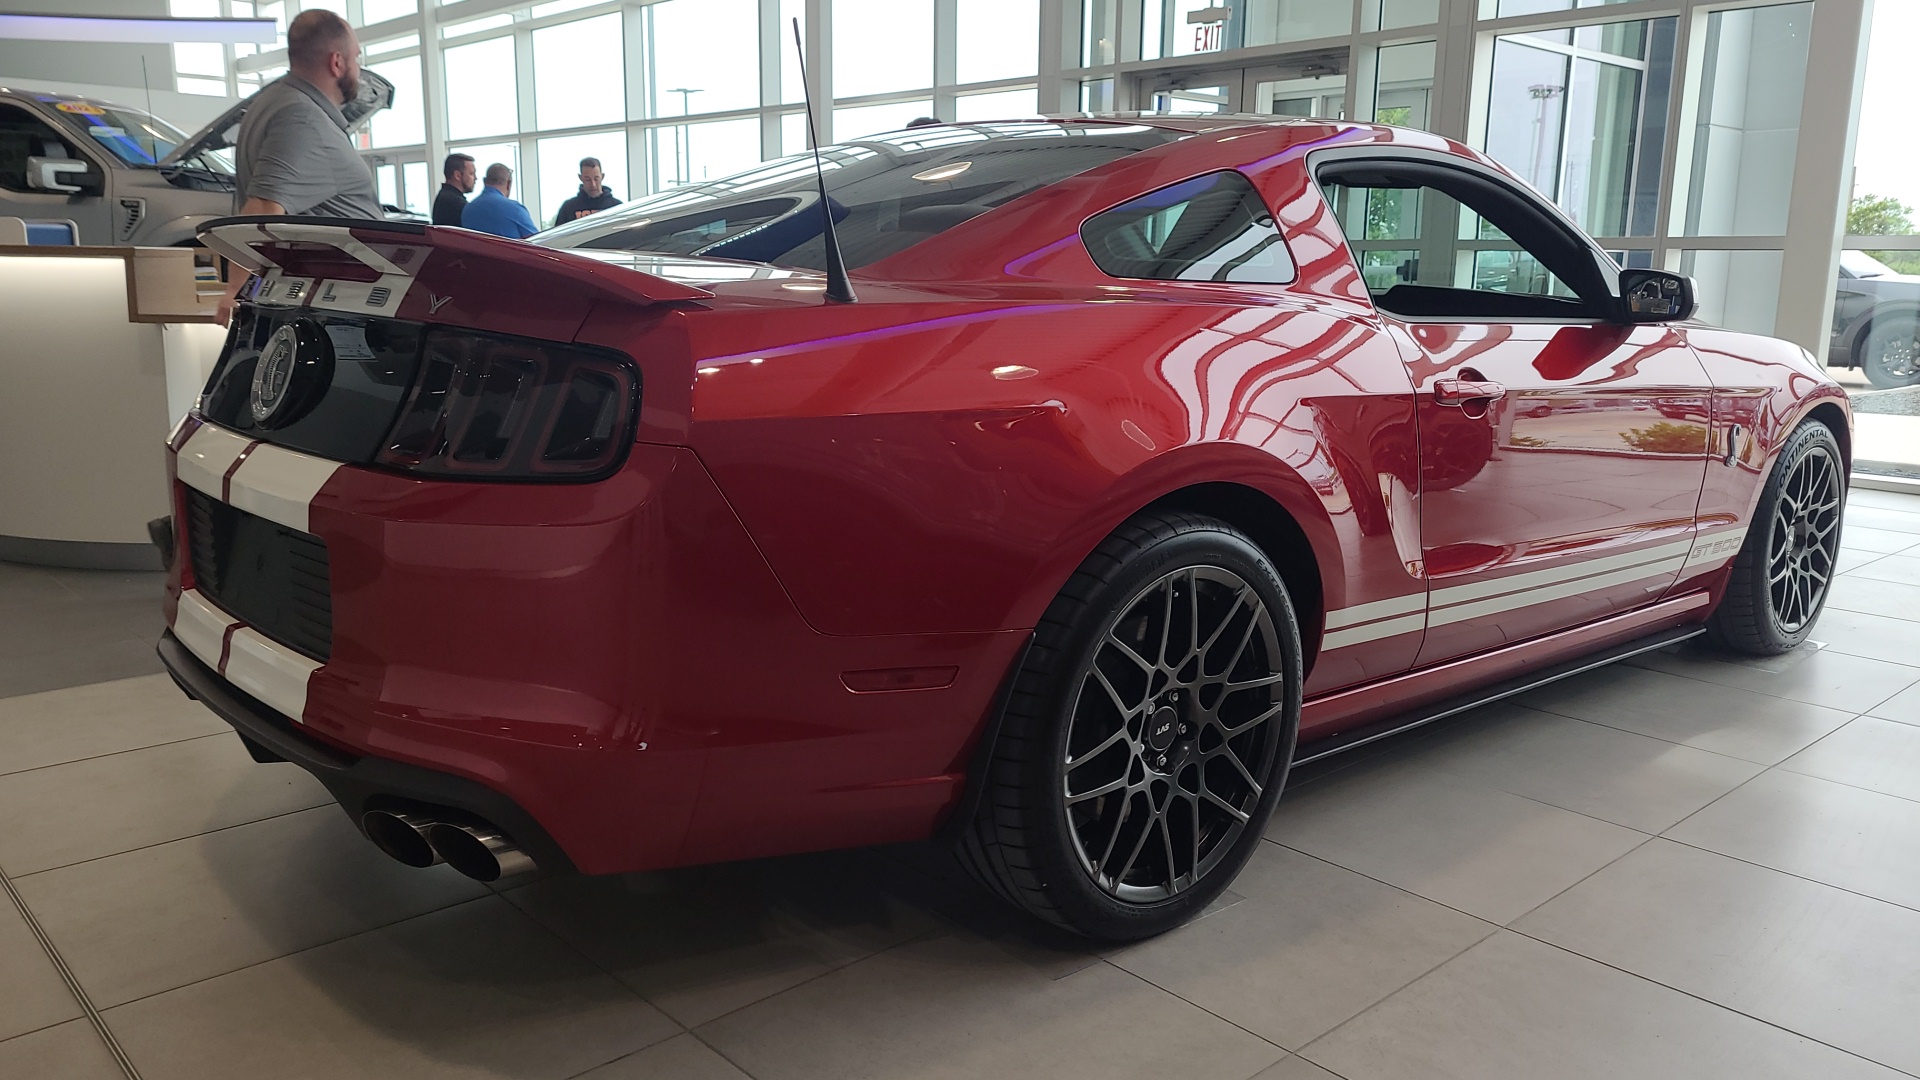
(295, 155)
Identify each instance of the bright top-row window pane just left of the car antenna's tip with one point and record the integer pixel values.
(692, 72)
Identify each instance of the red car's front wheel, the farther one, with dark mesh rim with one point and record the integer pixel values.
(1787, 566)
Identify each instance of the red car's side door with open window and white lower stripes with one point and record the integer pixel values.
(1562, 454)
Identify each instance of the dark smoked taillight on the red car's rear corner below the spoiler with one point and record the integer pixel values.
(494, 408)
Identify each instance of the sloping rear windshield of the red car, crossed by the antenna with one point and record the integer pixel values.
(886, 193)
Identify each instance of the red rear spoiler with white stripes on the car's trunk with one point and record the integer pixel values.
(425, 272)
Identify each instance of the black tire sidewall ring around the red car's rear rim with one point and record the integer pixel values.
(1072, 891)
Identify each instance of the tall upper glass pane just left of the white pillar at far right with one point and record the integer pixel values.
(1746, 124)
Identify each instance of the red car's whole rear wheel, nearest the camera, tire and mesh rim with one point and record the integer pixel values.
(1147, 737)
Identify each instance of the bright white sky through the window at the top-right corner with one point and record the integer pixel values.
(1888, 155)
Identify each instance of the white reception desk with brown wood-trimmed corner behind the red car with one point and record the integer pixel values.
(101, 353)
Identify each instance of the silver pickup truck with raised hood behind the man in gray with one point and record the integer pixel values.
(122, 176)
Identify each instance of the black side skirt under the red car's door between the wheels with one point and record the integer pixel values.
(1451, 706)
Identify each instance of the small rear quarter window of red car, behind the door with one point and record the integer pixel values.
(1212, 228)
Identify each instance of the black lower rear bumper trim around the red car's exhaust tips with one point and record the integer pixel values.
(358, 783)
